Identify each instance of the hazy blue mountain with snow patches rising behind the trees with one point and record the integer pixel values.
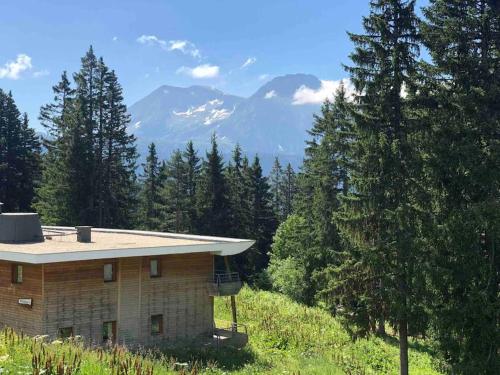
(269, 122)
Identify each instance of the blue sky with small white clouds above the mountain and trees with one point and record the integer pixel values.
(155, 42)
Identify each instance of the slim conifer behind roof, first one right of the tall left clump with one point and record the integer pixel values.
(150, 196)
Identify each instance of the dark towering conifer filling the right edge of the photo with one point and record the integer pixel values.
(460, 96)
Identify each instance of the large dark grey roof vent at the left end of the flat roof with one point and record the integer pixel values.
(20, 227)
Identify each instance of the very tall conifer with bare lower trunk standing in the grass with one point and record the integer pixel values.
(379, 218)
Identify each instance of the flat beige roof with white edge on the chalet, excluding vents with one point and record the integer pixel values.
(60, 245)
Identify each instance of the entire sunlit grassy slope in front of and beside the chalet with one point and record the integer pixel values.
(285, 338)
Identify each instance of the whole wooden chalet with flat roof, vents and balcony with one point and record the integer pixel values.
(129, 287)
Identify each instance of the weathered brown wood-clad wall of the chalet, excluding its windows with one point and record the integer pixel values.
(74, 295)
